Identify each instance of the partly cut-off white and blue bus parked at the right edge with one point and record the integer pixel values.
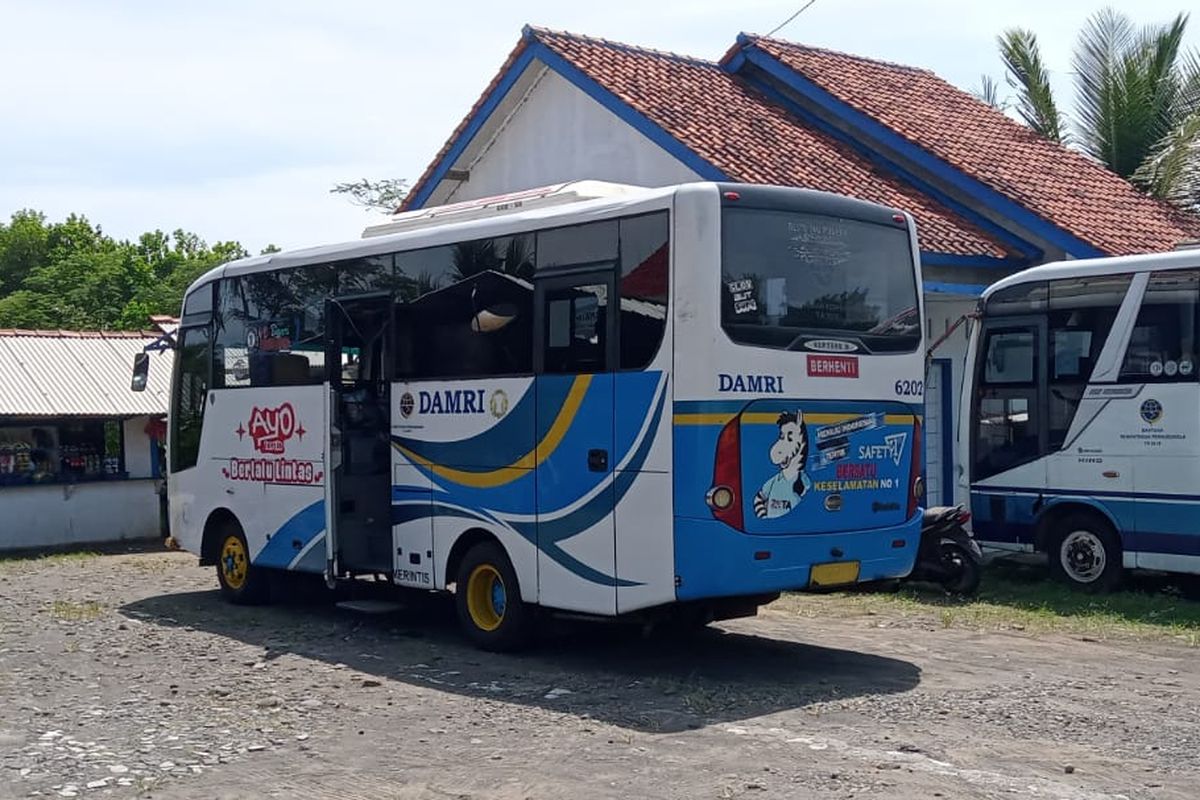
(1083, 440)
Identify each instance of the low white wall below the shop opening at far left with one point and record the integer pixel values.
(76, 514)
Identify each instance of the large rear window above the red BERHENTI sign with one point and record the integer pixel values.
(790, 278)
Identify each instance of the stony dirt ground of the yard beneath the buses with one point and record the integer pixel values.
(127, 676)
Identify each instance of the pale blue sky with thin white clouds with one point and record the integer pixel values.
(235, 118)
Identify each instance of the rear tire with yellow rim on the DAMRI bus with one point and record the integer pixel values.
(488, 598)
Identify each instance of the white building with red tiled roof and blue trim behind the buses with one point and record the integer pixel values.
(989, 196)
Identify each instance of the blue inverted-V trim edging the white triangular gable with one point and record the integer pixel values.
(581, 81)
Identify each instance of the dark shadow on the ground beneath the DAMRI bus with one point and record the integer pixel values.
(610, 673)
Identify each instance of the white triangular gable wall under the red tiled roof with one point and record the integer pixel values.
(560, 134)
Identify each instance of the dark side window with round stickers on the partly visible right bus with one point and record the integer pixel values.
(1163, 346)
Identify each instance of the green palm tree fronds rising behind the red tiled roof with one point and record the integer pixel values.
(1137, 100)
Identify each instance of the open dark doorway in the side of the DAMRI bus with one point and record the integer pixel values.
(358, 410)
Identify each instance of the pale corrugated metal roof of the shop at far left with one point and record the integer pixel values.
(80, 374)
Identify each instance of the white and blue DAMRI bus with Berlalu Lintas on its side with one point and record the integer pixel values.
(639, 401)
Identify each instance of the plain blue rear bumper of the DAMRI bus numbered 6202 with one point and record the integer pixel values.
(715, 561)
